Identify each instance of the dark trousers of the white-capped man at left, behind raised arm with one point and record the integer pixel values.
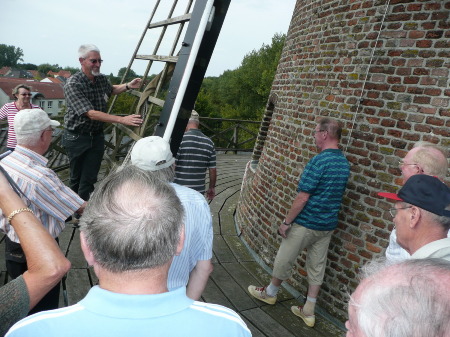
(16, 265)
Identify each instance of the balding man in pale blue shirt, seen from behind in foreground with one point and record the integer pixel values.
(130, 232)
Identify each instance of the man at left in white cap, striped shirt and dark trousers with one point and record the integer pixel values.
(45, 194)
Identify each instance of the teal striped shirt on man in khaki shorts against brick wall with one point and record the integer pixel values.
(324, 178)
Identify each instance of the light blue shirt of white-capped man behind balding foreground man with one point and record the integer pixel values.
(198, 233)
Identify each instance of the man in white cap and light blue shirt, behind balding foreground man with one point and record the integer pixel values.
(193, 266)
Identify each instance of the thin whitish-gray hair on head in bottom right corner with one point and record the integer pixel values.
(407, 299)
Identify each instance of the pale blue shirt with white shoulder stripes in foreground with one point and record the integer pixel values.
(104, 313)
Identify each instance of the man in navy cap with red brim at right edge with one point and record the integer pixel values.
(422, 217)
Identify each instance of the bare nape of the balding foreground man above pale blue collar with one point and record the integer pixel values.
(142, 282)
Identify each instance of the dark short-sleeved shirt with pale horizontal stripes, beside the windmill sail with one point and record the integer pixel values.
(195, 155)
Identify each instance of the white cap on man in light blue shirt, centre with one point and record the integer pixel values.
(152, 154)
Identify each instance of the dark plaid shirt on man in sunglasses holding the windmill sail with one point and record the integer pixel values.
(81, 96)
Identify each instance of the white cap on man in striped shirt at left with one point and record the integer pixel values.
(32, 120)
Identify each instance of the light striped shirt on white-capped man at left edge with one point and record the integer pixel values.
(50, 200)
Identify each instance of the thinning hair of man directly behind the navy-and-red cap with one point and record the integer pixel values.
(432, 159)
